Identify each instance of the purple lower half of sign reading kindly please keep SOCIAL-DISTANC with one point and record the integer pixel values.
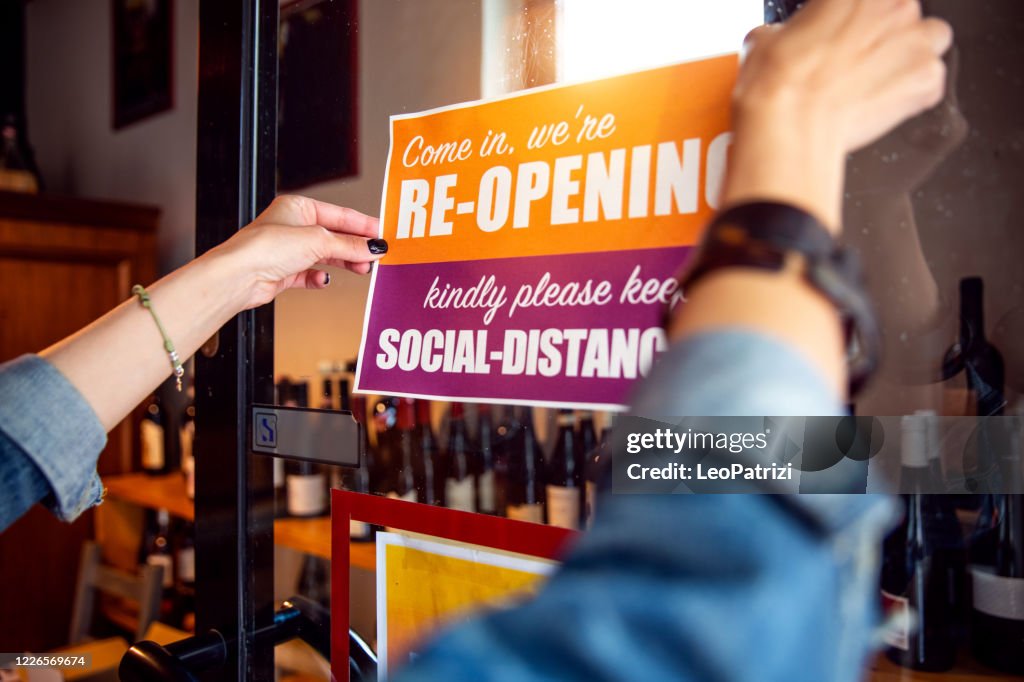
(575, 329)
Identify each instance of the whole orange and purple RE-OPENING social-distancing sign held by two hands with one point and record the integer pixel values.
(535, 239)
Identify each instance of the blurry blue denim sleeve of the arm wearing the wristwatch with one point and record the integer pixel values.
(697, 587)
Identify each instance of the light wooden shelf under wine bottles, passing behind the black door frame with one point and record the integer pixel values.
(312, 536)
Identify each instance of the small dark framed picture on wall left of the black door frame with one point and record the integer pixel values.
(144, 60)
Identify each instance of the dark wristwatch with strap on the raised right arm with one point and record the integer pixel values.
(772, 236)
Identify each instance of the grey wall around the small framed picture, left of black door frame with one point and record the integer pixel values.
(69, 99)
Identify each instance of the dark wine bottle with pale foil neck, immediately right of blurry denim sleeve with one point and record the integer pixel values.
(919, 568)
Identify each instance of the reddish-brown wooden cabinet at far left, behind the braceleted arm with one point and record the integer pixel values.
(64, 263)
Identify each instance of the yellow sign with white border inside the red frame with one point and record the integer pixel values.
(424, 585)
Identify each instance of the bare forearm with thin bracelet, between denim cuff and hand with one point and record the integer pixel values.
(117, 361)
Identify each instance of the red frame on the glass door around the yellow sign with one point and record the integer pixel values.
(532, 539)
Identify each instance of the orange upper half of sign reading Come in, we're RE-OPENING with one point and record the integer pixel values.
(630, 162)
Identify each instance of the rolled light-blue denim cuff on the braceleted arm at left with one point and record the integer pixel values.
(49, 434)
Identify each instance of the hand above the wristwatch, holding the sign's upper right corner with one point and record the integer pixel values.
(838, 76)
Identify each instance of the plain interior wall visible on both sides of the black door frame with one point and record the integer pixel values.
(413, 56)
